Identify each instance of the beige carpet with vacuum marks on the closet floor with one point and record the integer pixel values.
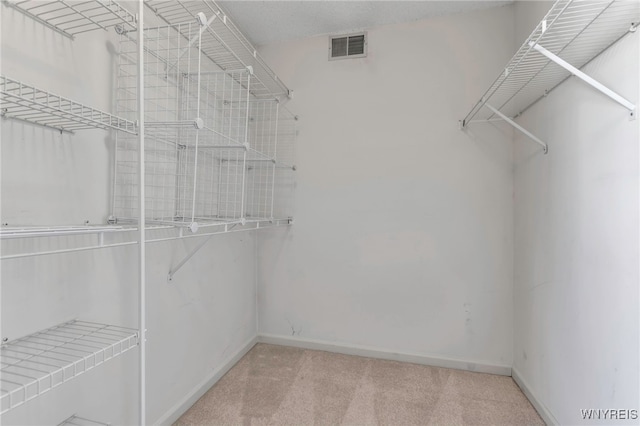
(277, 385)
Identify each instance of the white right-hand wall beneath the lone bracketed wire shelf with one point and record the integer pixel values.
(576, 241)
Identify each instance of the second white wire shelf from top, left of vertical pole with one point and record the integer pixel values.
(28, 103)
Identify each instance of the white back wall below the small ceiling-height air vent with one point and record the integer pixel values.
(403, 223)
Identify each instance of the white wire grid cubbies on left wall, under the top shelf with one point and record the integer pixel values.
(212, 147)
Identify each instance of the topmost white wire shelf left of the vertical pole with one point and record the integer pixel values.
(75, 17)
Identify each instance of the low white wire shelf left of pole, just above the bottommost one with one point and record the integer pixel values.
(37, 363)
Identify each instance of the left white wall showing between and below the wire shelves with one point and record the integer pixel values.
(194, 324)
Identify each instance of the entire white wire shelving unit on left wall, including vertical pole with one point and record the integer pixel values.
(217, 146)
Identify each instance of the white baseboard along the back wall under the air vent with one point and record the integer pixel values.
(347, 349)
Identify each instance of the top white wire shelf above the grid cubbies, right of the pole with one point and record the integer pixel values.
(223, 43)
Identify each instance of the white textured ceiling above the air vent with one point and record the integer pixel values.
(270, 21)
